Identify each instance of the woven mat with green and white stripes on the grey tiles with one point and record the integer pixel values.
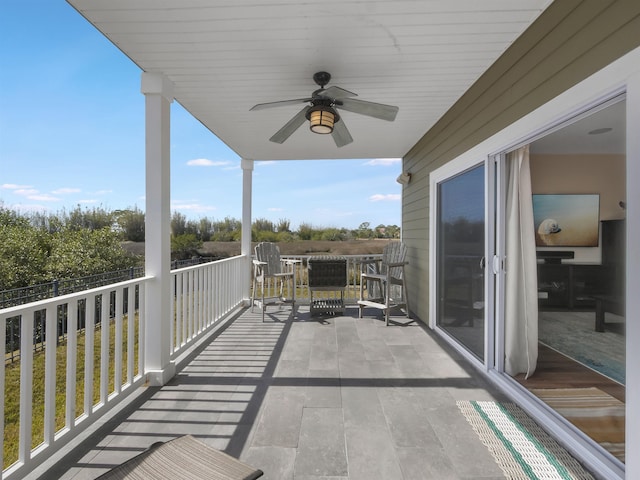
(520, 447)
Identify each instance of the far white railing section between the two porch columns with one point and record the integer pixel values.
(203, 295)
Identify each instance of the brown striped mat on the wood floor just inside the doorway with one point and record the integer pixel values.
(594, 412)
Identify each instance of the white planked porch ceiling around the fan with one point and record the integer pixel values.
(223, 57)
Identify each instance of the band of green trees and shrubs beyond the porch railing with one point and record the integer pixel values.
(39, 247)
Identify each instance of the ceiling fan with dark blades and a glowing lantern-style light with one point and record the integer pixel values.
(322, 111)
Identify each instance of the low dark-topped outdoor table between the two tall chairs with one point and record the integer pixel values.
(327, 274)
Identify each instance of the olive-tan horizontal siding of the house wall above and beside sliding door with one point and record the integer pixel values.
(570, 41)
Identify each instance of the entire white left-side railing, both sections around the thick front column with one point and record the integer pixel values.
(96, 354)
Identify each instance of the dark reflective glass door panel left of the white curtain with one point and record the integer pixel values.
(460, 260)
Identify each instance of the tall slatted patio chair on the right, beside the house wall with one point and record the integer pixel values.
(384, 281)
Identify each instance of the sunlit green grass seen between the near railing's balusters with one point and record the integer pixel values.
(12, 386)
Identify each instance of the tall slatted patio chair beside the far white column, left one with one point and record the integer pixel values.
(271, 273)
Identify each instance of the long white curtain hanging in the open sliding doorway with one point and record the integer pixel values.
(521, 290)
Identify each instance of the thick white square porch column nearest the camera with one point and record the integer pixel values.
(158, 91)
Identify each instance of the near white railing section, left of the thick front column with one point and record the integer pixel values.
(102, 330)
